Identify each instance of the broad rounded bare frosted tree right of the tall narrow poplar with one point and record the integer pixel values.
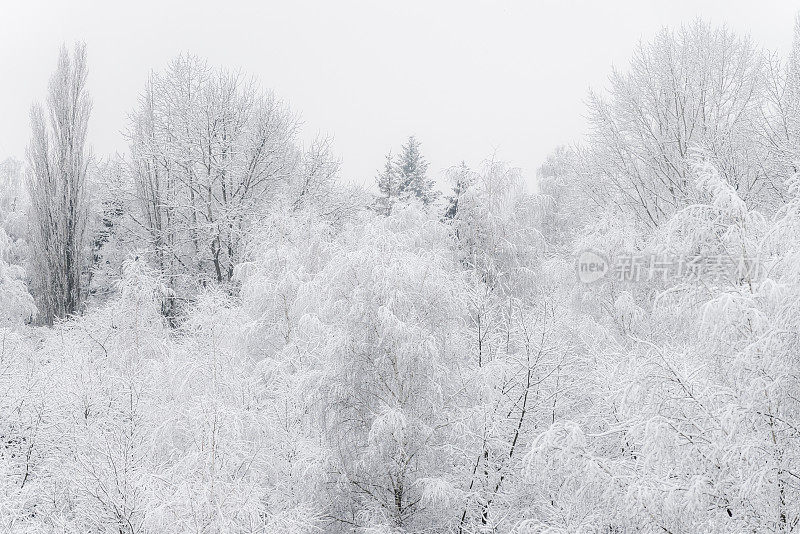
(209, 150)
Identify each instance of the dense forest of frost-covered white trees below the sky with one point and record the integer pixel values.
(216, 332)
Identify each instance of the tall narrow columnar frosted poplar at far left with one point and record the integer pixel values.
(58, 160)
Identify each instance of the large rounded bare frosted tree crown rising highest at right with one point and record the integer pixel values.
(694, 88)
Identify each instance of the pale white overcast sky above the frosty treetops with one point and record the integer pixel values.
(468, 78)
